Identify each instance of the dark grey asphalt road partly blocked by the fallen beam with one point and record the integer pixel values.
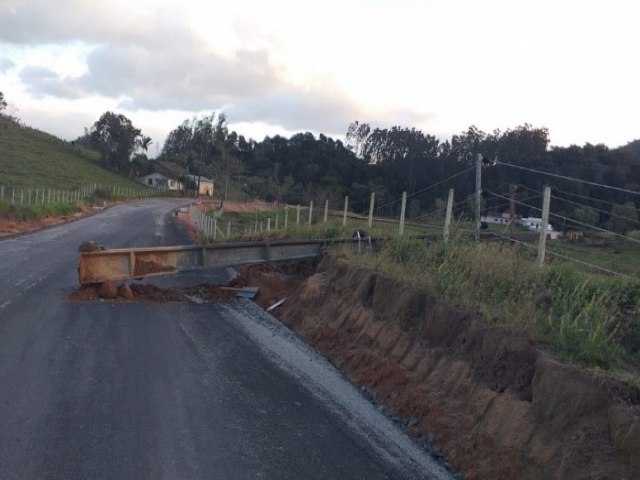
(171, 391)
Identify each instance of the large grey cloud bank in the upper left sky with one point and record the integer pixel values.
(149, 59)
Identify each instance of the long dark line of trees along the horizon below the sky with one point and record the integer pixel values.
(388, 161)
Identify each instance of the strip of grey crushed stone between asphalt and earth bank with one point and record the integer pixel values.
(324, 381)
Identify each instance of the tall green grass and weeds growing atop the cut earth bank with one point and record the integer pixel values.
(581, 317)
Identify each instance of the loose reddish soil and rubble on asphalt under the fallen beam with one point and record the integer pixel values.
(138, 292)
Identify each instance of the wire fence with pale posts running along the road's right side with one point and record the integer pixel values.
(295, 218)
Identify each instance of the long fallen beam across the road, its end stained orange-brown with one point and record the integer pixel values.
(136, 263)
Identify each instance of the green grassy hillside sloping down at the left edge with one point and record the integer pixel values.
(33, 159)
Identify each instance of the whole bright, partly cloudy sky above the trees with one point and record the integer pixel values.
(284, 66)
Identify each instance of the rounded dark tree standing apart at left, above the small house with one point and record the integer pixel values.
(116, 139)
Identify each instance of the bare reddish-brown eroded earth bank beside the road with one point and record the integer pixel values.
(497, 406)
